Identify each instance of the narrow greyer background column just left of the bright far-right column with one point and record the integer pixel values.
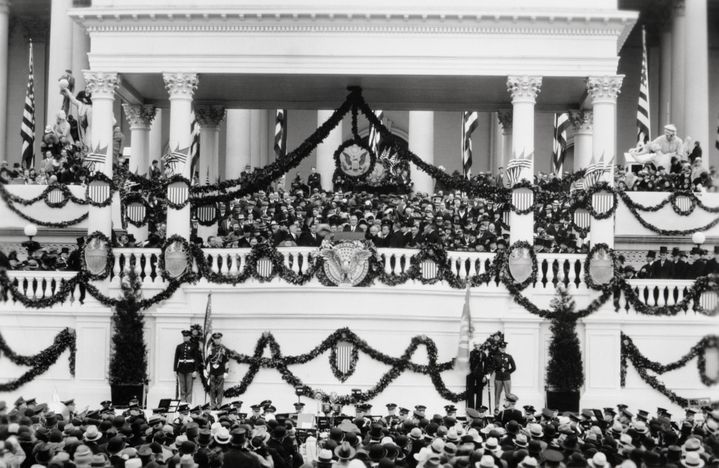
(678, 65)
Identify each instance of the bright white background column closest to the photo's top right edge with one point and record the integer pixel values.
(696, 78)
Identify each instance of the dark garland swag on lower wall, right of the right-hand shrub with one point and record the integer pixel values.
(644, 365)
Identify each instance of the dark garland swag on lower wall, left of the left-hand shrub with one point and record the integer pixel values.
(40, 362)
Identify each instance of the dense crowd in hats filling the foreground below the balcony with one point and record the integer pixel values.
(59, 436)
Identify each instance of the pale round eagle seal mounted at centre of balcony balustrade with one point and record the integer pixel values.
(346, 263)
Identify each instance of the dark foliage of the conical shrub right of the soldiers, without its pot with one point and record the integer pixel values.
(565, 371)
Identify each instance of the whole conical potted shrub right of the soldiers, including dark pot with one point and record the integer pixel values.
(565, 372)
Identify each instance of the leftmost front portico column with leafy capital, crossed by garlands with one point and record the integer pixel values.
(102, 85)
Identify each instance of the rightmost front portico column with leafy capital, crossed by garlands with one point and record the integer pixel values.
(603, 91)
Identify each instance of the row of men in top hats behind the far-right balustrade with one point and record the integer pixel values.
(699, 262)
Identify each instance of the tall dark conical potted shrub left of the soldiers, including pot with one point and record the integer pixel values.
(128, 359)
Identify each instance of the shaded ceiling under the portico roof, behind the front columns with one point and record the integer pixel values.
(328, 91)
